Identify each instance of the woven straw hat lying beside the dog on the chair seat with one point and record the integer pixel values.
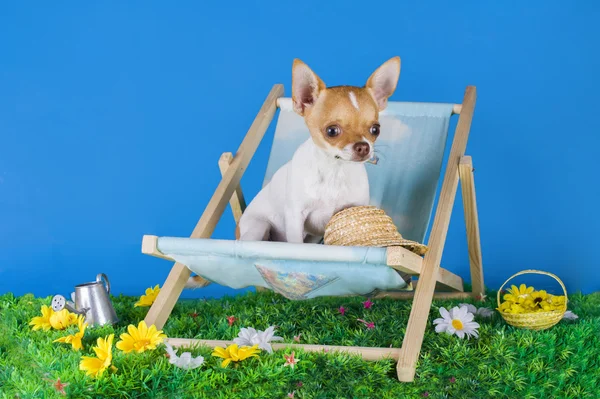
(367, 226)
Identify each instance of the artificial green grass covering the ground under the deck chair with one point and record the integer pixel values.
(505, 362)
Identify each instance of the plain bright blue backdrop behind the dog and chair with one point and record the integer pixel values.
(113, 117)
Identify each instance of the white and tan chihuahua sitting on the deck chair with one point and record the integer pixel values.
(327, 172)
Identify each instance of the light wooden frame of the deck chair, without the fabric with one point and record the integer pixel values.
(427, 268)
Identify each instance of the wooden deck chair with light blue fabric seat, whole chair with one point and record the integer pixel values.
(404, 183)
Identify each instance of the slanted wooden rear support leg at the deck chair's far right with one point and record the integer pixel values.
(467, 183)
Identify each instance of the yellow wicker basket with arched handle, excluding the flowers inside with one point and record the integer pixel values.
(534, 320)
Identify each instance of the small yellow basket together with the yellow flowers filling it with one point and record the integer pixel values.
(525, 307)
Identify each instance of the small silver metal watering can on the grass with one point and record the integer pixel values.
(90, 300)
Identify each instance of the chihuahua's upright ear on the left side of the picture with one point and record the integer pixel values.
(306, 87)
